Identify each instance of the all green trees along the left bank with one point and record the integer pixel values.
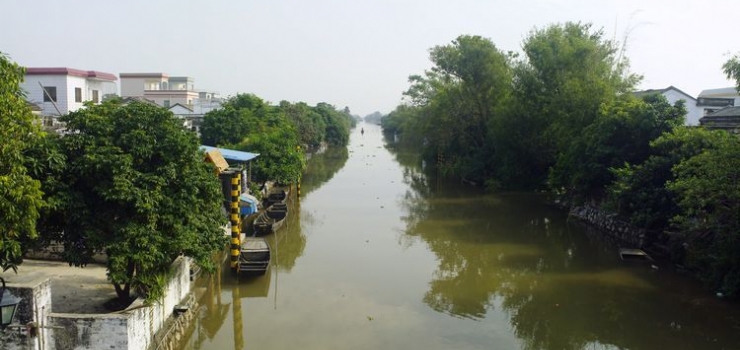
(128, 181)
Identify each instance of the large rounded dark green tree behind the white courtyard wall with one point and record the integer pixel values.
(138, 191)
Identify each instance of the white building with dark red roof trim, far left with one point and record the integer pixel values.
(59, 91)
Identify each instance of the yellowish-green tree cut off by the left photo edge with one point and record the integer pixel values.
(20, 194)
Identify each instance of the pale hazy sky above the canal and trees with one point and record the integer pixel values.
(350, 53)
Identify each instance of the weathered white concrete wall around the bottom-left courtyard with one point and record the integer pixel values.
(134, 328)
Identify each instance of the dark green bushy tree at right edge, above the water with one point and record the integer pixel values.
(707, 188)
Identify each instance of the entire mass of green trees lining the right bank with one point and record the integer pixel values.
(563, 117)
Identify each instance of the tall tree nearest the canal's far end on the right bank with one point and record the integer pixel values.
(457, 101)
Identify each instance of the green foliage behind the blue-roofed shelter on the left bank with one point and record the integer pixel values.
(280, 134)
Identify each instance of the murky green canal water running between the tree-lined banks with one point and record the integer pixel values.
(381, 257)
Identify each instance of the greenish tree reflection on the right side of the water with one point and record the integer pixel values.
(559, 287)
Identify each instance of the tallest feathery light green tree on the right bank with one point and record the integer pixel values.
(569, 72)
